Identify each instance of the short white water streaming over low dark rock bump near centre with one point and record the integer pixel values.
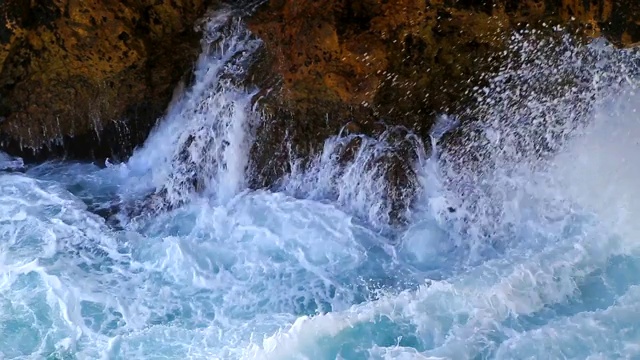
(372, 178)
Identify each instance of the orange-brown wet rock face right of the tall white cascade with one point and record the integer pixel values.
(360, 66)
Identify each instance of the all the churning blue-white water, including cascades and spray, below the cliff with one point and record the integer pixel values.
(521, 244)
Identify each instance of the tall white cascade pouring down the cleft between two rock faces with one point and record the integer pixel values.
(202, 144)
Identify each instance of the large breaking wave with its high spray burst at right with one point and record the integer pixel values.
(528, 227)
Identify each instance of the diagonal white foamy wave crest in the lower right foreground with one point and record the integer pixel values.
(456, 316)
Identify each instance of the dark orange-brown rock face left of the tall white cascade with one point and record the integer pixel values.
(94, 74)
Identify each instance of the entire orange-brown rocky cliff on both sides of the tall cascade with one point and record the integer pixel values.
(89, 78)
